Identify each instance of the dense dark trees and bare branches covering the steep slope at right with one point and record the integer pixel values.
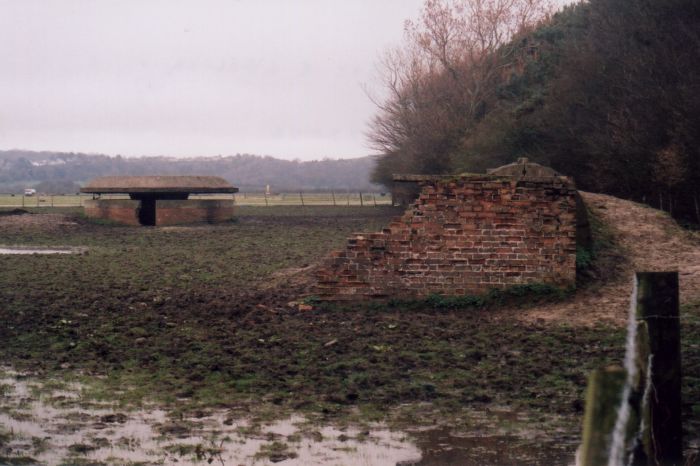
(607, 91)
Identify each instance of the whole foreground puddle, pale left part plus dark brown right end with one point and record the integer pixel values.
(55, 425)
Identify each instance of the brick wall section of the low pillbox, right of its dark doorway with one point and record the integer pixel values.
(177, 212)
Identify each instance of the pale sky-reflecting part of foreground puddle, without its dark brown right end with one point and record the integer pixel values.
(57, 426)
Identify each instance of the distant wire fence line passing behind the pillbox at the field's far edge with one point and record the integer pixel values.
(298, 198)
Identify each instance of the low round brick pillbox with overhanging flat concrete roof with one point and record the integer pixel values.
(160, 200)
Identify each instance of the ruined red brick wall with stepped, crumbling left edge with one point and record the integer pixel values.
(462, 237)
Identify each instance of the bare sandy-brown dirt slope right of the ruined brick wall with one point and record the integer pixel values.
(650, 241)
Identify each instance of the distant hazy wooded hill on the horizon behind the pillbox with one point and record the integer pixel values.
(62, 172)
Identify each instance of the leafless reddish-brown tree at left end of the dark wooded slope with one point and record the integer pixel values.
(439, 82)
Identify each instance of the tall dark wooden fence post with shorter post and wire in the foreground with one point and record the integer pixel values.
(650, 433)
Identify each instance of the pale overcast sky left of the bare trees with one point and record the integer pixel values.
(187, 78)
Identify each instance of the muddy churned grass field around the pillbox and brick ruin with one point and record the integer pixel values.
(196, 322)
